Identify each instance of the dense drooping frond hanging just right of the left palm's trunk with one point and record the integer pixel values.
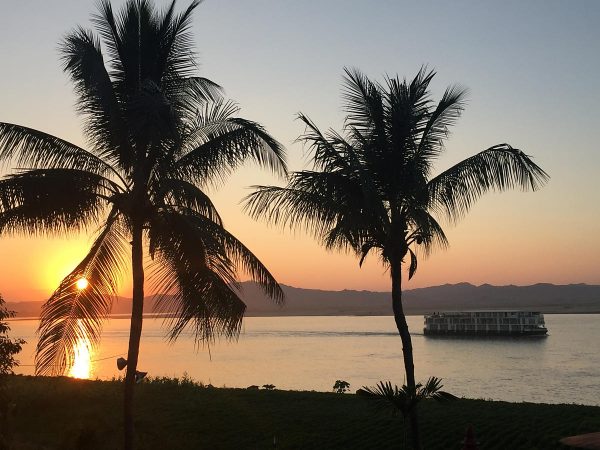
(195, 279)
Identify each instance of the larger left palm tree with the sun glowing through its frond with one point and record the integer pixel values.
(158, 136)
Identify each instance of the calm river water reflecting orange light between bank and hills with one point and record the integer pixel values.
(310, 353)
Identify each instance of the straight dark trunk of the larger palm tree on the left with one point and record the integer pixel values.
(135, 332)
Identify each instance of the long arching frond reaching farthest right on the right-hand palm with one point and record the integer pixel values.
(498, 168)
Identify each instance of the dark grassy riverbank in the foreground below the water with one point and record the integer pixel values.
(61, 413)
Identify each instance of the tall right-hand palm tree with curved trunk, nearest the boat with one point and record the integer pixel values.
(373, 189)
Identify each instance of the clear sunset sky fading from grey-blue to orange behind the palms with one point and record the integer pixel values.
(531, 67)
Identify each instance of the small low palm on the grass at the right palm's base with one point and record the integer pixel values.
(405, 399)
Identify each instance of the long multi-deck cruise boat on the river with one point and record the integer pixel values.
(485, 323)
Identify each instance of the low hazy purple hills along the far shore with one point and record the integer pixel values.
(547, 298)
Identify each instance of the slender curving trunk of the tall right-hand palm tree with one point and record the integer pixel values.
(409, 367)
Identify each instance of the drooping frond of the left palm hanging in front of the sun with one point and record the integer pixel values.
(73, 317)
